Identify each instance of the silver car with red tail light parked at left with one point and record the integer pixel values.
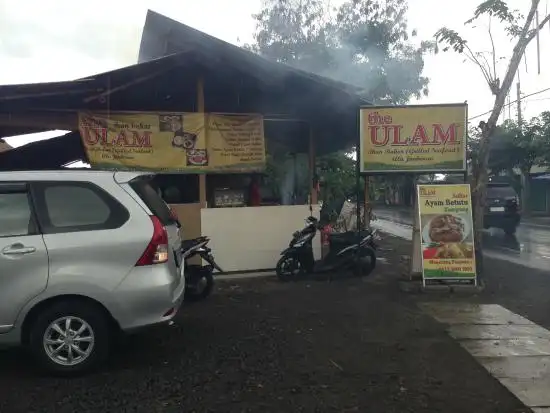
(83, 255)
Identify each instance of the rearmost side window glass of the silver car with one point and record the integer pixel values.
(70, 206)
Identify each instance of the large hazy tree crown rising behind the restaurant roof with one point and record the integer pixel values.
(362, 42)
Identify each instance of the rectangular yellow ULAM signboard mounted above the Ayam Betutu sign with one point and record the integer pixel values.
(414, 138)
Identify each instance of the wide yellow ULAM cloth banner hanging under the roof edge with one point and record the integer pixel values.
(174, 142)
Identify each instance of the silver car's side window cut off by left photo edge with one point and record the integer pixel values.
(15, 214)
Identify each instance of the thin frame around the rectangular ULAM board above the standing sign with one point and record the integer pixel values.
(361, 157)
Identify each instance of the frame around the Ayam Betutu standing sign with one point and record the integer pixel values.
(448, 280)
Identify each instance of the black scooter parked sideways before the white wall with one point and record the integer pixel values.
(348, 251)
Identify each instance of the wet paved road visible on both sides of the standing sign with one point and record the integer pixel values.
(530, 247)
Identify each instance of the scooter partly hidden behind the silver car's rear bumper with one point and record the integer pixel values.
(199, 279)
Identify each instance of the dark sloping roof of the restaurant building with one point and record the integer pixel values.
(167, 83)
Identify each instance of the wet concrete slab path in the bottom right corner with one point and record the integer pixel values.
(512, 348)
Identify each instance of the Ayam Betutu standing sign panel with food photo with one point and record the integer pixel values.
(447, 232)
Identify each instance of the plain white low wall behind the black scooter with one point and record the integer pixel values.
(252, 238)
